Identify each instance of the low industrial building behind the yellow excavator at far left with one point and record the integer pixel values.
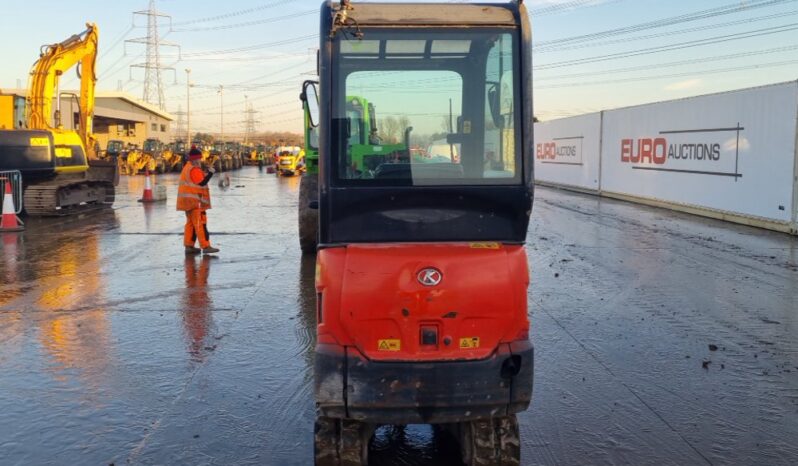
(117, 115)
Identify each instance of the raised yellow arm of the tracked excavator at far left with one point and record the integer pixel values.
(54, 60)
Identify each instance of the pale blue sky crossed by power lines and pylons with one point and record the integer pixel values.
(589, 55)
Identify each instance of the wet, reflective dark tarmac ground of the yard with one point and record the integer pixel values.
(661, 338)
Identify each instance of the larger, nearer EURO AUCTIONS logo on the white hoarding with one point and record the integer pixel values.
(699, 151)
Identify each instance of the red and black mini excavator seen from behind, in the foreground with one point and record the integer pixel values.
(422, 273)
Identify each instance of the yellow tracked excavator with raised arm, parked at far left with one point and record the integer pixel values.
(62, 172)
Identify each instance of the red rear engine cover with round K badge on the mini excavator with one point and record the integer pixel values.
(372, 297)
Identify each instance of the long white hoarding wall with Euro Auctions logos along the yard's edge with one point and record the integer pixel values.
(730, 155)
